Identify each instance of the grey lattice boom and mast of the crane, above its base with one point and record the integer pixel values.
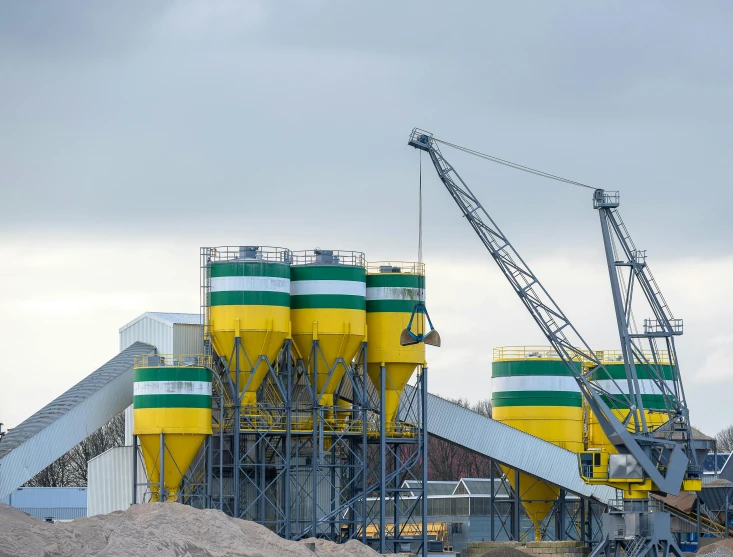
(661, 456)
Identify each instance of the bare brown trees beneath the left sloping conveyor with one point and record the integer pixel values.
(71, 469)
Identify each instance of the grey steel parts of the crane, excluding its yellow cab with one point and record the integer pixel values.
(661, 459)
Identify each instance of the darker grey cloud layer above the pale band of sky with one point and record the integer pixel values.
(131, 120)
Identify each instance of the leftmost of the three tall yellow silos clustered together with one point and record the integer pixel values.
(250, 299)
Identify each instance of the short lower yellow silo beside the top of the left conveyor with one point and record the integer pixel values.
(172, 416)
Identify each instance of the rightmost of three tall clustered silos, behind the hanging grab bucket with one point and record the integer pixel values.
(393, 289)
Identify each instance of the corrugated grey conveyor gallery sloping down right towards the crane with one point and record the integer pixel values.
(509, 446)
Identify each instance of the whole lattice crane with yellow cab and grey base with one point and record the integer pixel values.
(648, 460)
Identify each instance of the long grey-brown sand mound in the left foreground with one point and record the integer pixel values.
(160, 529)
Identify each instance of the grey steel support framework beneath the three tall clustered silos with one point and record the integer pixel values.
(297, 466)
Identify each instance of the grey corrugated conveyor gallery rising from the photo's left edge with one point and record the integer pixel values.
(66, 421)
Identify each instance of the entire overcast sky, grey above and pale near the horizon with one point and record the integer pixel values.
(132, 134)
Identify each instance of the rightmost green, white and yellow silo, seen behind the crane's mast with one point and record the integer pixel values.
(655, 409)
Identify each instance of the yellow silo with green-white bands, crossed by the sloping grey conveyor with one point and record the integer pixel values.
(533, 391)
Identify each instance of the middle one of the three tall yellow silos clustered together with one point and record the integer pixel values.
(328, 305)
